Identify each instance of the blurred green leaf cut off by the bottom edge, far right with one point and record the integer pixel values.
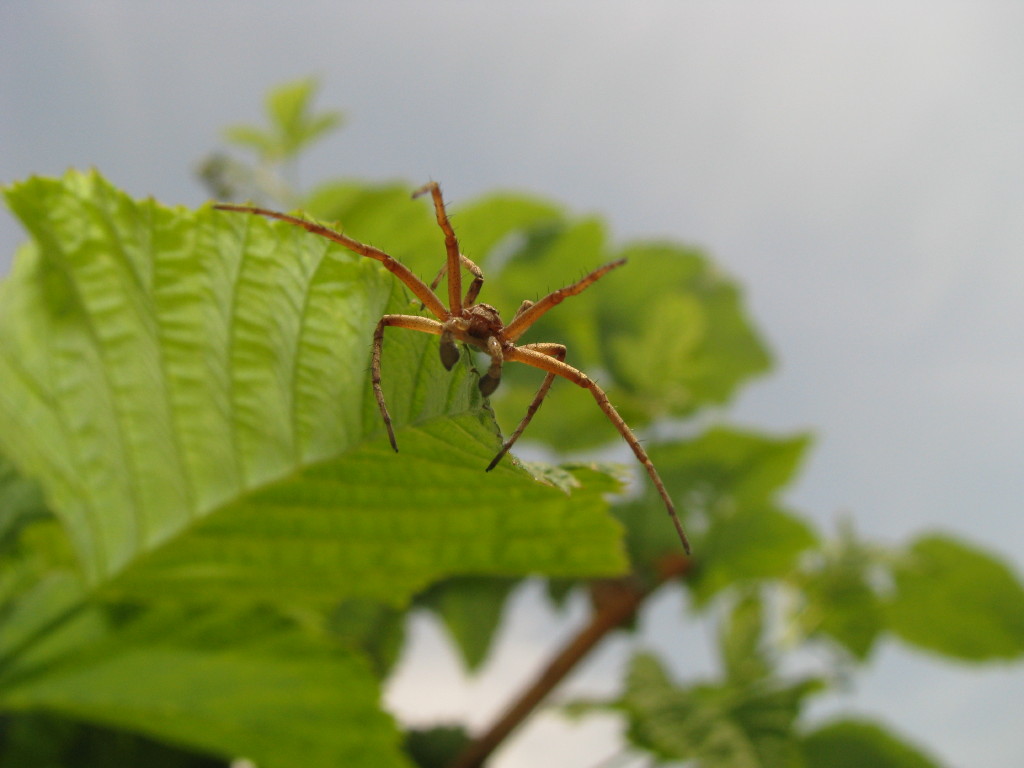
(856, 744)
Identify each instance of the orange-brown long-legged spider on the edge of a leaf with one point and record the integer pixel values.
(480, 326)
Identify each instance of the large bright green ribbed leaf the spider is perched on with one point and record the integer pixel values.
(192, 392)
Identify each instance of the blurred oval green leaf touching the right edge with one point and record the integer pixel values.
(957, 601)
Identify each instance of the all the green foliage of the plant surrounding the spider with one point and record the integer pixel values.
(208, 547)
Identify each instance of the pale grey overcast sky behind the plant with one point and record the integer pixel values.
(859, 167)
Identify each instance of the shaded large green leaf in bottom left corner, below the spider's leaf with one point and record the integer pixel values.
(226, 681)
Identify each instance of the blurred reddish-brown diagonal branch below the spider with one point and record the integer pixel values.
(617, 602)
